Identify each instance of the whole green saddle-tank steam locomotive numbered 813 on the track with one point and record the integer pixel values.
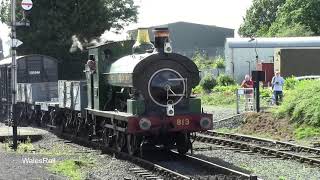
(145, 96)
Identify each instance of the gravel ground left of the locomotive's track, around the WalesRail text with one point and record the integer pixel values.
(105, 167)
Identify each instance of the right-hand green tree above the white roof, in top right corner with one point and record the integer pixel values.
(298, 18)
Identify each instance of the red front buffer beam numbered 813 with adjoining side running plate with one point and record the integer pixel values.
(138, 124)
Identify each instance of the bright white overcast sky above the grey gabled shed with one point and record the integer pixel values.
(223, 13)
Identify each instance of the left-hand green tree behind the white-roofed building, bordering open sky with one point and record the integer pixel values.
(259, 17)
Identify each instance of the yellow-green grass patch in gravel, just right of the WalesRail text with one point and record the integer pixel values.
(71, 168)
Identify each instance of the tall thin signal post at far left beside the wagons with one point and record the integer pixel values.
(14, 75)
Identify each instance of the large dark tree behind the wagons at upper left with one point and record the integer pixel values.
(57, 24)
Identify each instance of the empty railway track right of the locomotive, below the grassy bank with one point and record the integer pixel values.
(269, 148)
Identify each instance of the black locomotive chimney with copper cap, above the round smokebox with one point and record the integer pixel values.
(161, 40)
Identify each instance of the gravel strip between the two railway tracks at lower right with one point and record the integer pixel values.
(266, 168)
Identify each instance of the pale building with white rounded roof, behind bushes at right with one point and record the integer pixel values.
(240, 53)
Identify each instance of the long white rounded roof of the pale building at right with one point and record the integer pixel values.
(273, 42)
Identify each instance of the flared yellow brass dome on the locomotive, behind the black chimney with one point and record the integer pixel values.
(142, 44)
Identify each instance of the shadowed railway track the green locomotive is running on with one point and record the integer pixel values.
(150, 167)
